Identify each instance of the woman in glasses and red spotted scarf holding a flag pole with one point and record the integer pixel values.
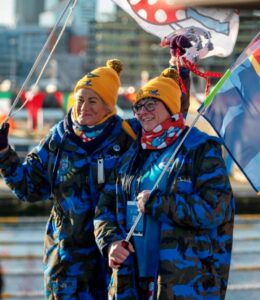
(181, 248)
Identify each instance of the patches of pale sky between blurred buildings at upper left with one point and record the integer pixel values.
(7, 10)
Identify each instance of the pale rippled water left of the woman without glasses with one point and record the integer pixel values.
(21, 241)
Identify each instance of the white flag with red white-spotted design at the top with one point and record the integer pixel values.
(162, 18)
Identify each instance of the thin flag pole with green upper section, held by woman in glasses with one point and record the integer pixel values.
(201, 110)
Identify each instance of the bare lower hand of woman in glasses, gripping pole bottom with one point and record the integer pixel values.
(118, 253)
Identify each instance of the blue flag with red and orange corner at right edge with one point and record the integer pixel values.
(234, 112)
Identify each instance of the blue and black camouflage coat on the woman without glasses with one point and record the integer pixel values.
(70, 250)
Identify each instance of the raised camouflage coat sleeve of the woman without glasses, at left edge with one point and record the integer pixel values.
(28, 180)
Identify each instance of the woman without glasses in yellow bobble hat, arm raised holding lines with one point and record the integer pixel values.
(71, 166)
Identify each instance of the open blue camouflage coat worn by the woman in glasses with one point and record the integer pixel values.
(196, 217)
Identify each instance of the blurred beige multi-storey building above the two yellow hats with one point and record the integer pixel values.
(122, 37)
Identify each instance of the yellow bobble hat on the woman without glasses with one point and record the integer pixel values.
(104, 81)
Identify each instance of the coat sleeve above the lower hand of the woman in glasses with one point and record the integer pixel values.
(106, 227)
